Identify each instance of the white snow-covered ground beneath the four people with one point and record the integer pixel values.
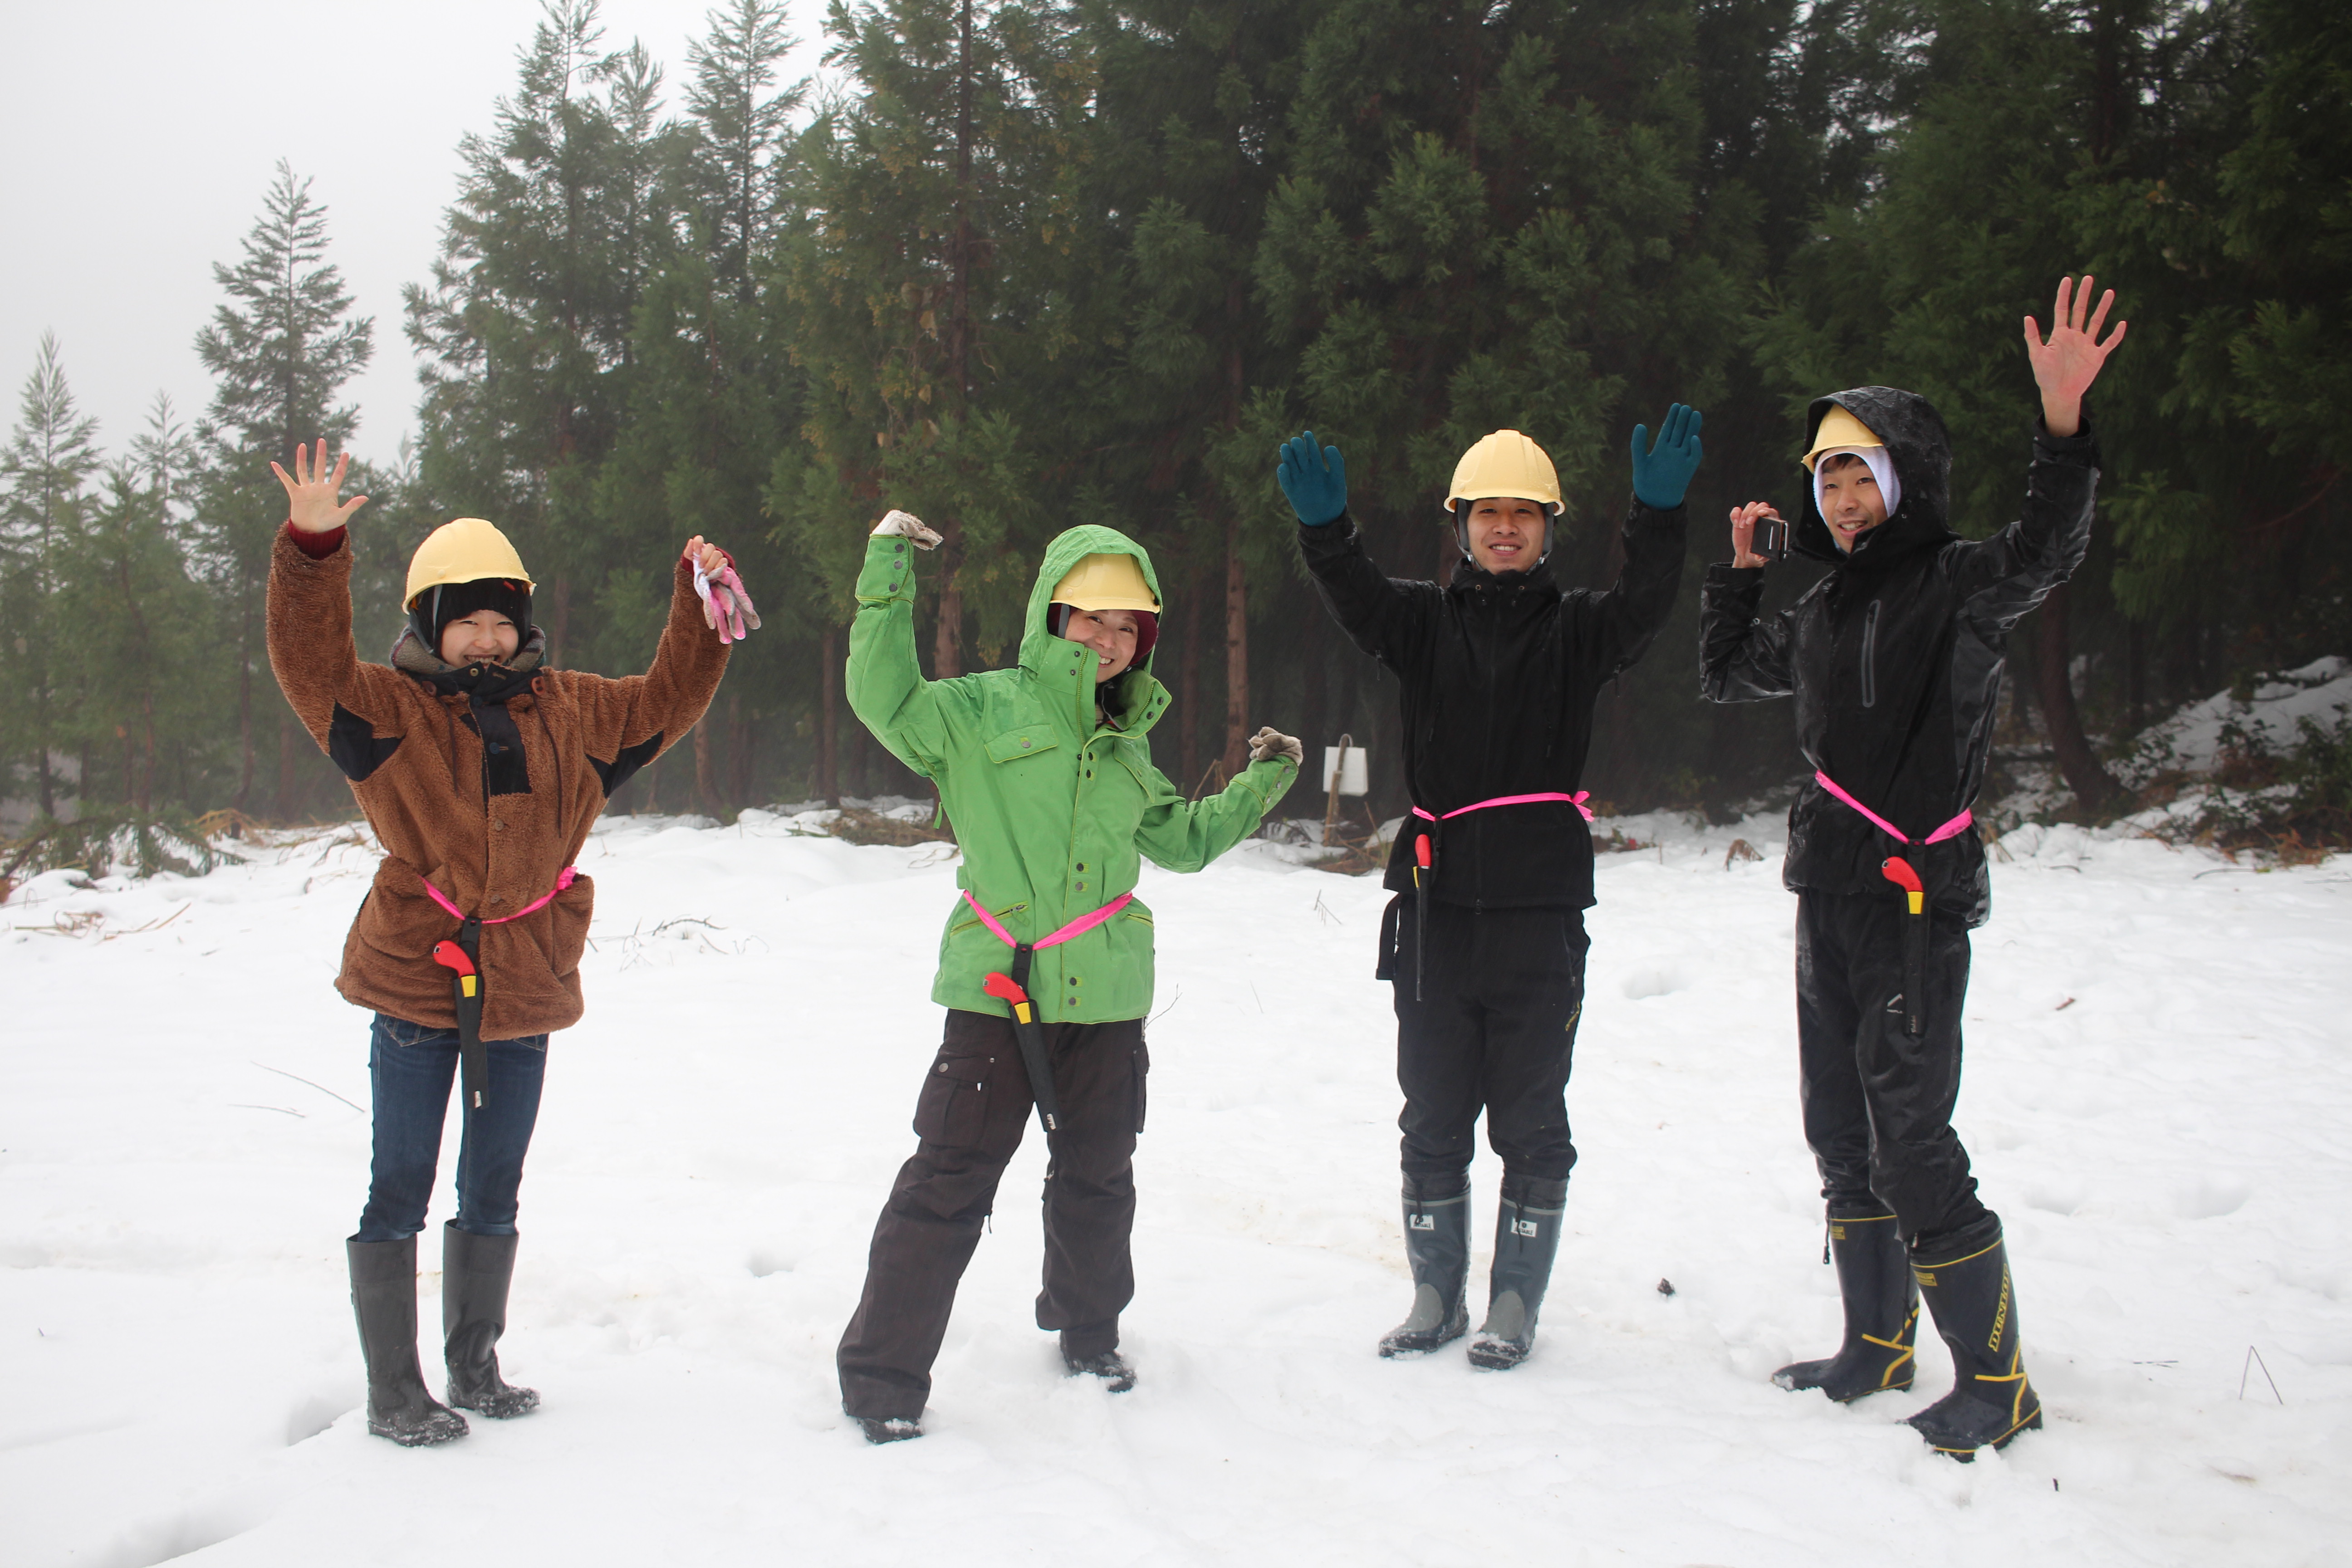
(2158, 1097)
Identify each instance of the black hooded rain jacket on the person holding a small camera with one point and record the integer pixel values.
(1897, 655)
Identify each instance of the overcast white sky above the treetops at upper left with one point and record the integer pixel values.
(140, 138)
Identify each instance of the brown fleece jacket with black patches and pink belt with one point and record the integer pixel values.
(420, 772)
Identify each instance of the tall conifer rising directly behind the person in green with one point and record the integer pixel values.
(937, 203)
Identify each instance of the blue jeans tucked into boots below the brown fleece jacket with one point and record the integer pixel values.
(410, 1068)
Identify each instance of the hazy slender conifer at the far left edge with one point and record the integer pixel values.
(48, 462)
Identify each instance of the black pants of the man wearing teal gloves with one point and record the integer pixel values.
(1495, 1031)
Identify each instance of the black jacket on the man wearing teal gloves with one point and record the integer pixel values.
(1499, 678)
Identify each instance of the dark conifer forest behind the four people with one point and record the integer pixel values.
(1024, 264)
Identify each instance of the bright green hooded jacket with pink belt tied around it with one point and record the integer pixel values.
(1053, 810)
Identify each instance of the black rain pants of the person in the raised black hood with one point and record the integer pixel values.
(1878, 1104)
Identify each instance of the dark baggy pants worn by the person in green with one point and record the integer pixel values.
(970, 1118)
